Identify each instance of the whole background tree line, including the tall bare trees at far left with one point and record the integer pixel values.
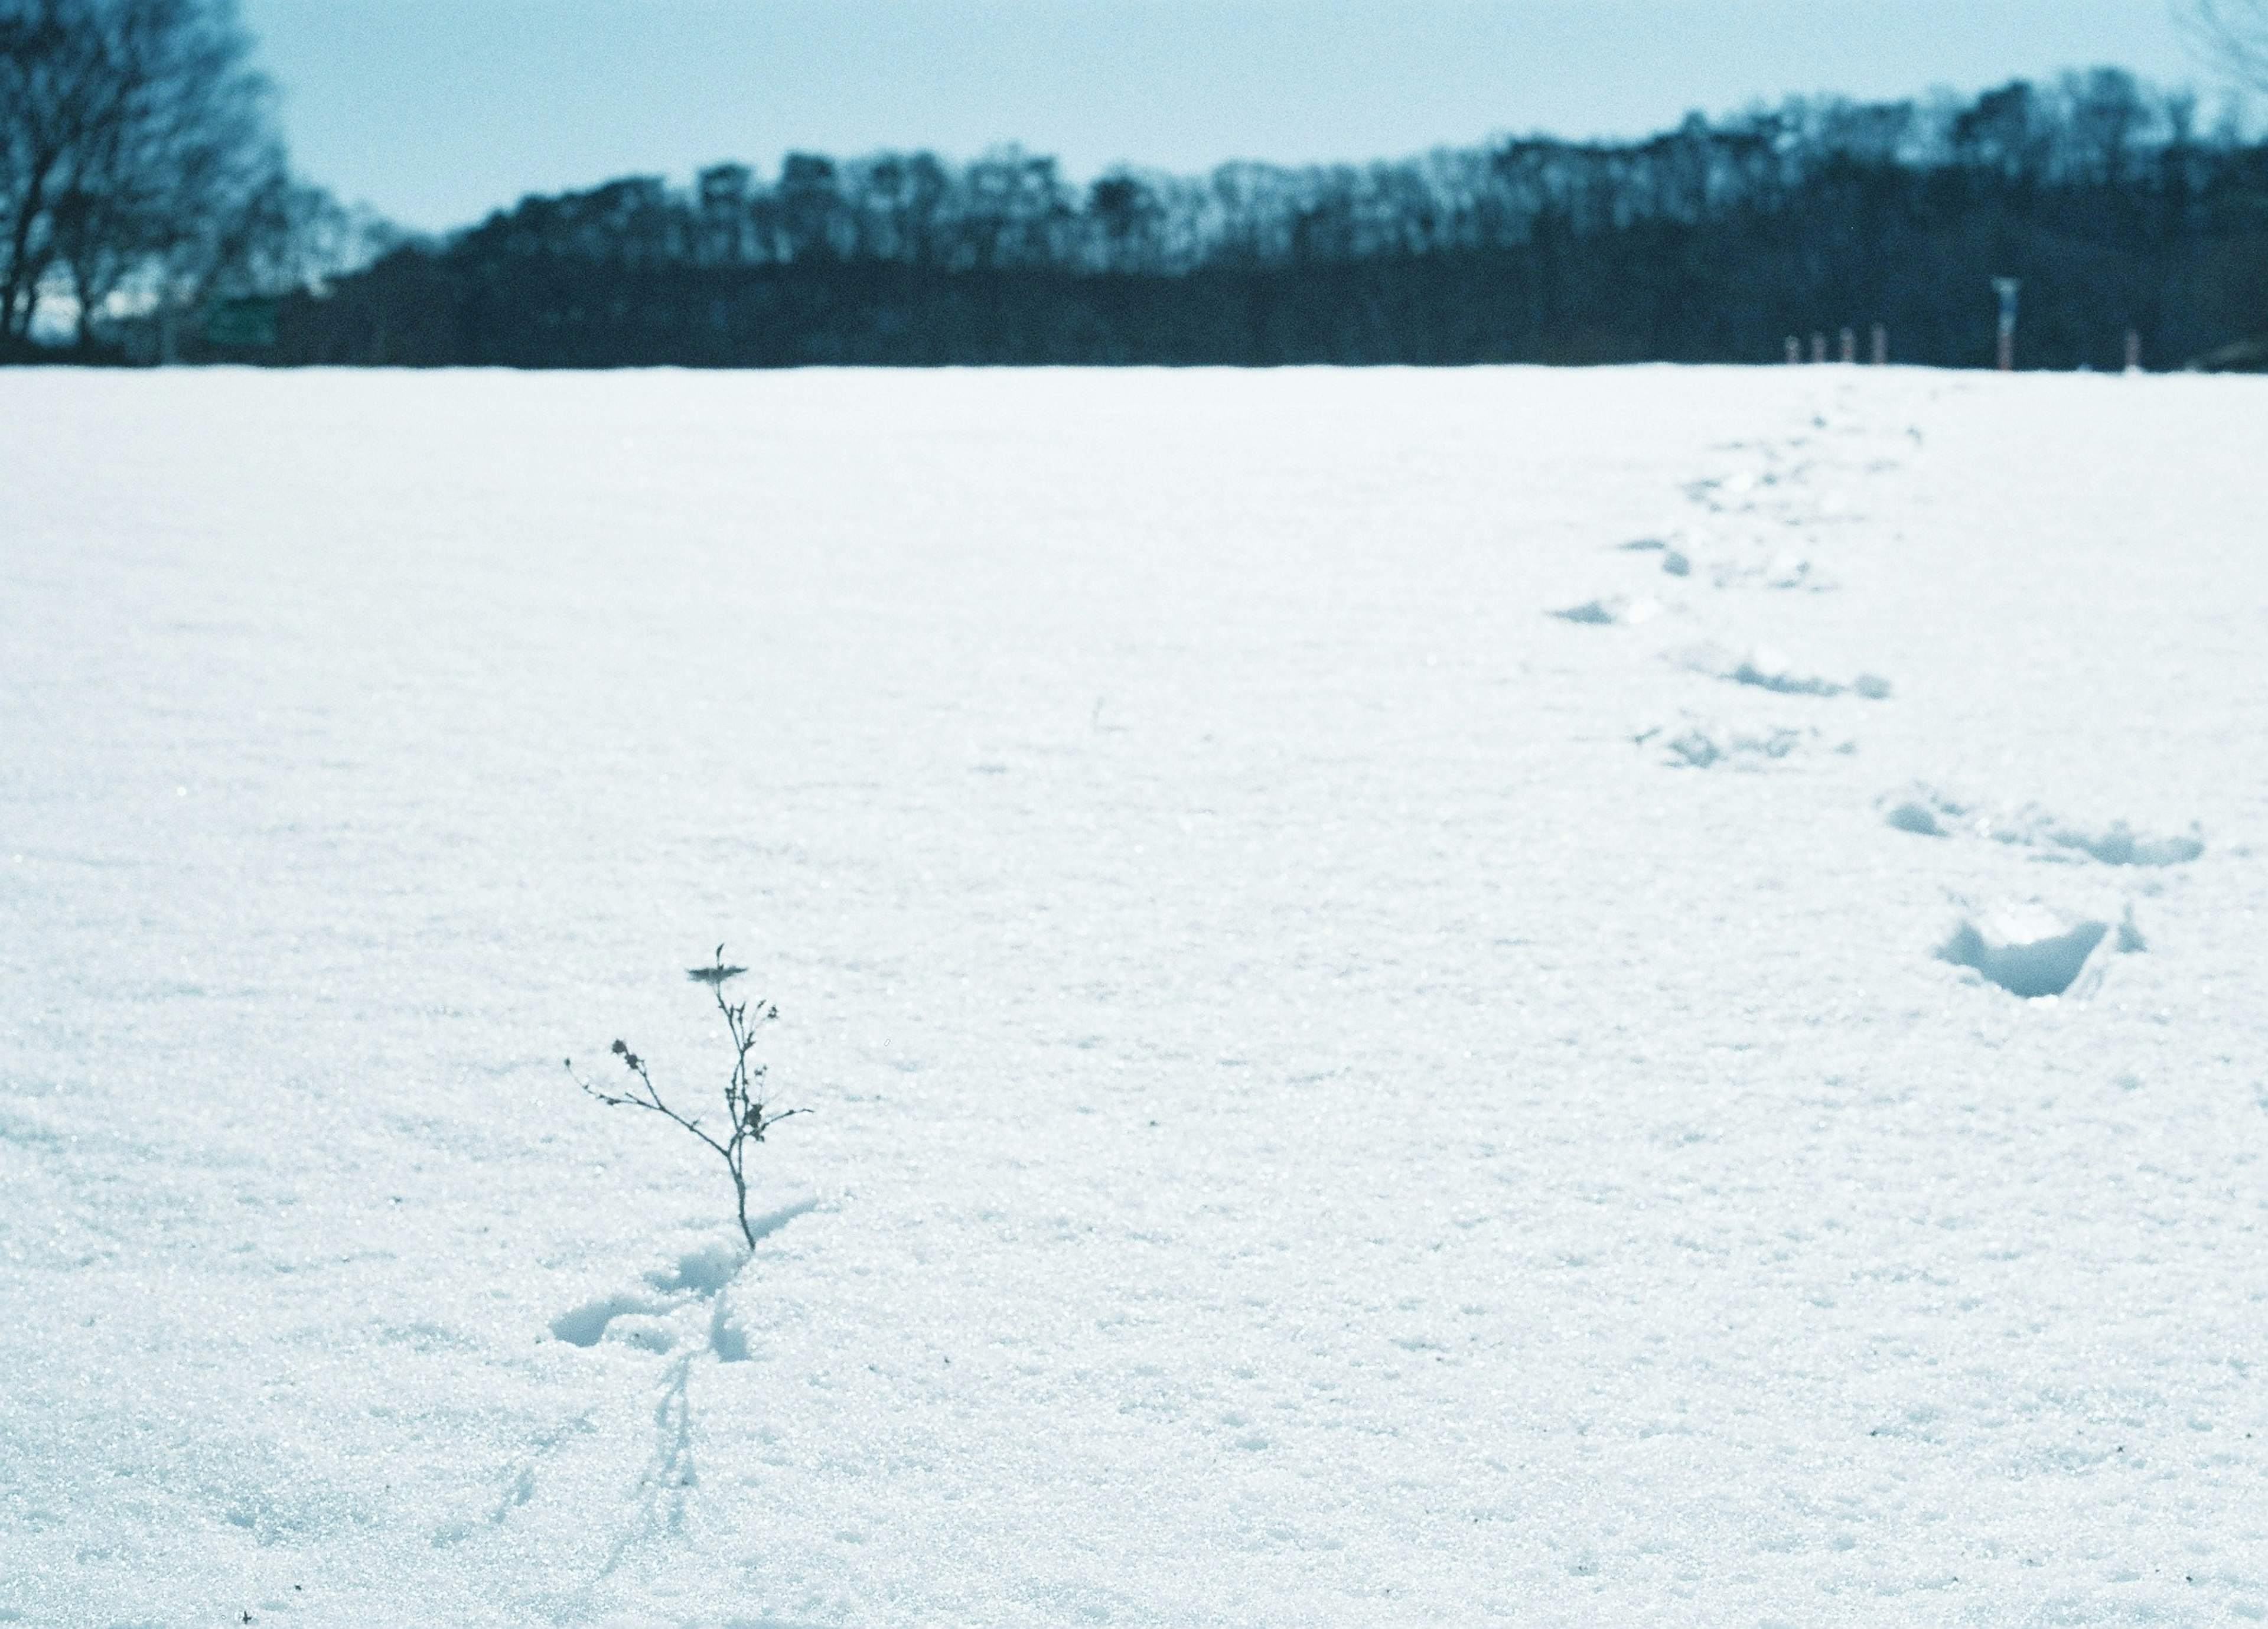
(144, 192)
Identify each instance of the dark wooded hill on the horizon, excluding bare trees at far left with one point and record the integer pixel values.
(1707, 244)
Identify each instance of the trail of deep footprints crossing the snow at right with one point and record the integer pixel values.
(2029, 947)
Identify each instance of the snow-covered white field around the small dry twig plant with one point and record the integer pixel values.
(1339, 1097)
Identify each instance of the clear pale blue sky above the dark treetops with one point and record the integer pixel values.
(441, 110)
